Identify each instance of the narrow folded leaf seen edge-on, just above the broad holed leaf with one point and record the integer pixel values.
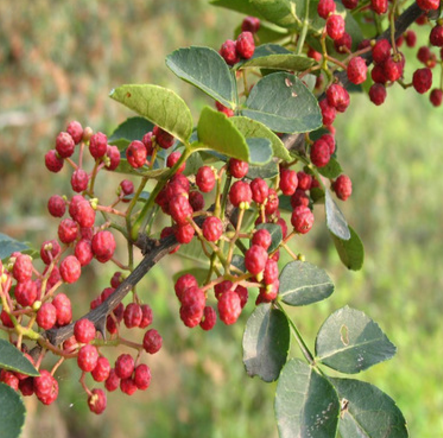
(275, 57)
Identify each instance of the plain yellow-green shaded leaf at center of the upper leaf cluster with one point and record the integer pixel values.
(217, 132)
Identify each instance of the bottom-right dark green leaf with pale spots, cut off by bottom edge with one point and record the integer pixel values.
(367, 411)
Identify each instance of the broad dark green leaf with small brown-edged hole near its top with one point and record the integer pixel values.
(284, 104)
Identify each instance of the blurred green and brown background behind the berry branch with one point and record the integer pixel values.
(58, 62)
